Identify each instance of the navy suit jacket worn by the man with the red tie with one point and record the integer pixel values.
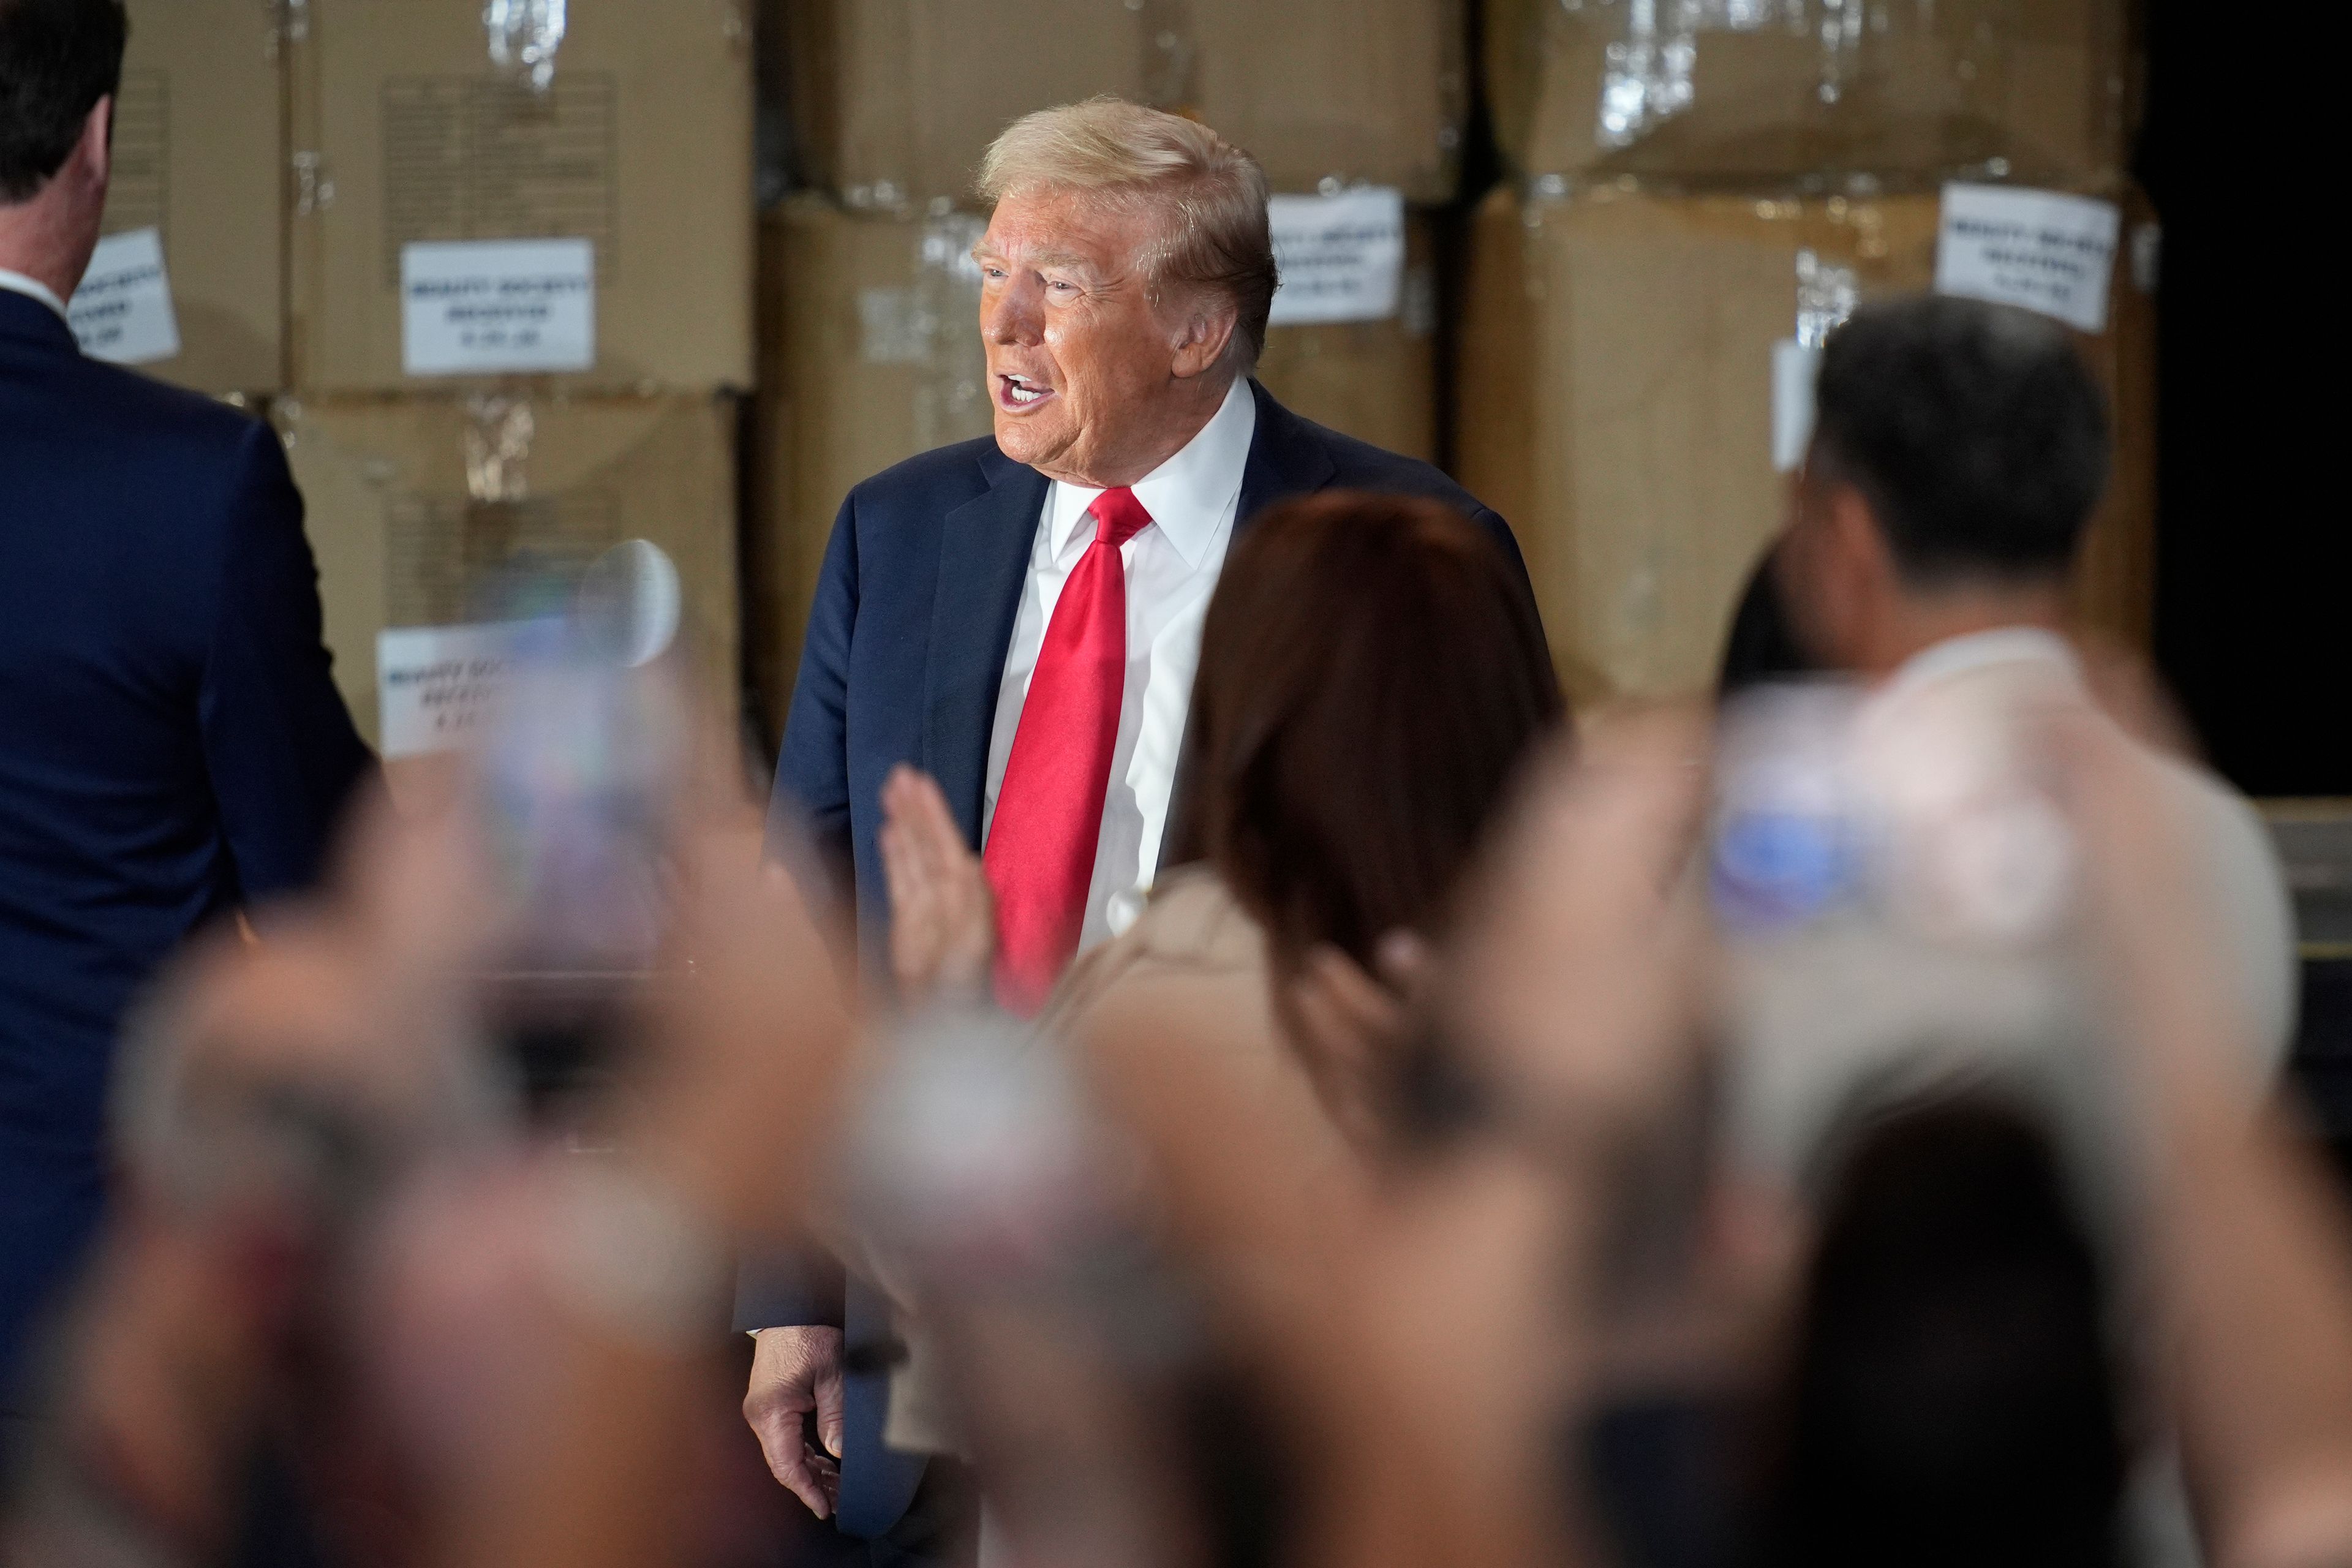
(907, 650)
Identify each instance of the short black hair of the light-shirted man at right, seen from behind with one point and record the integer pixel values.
(1975, 431)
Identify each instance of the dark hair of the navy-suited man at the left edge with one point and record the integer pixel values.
(58, 60)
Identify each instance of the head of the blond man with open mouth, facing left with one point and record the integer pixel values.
(1125, 283)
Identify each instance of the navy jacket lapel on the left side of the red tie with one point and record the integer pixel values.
(984, 556)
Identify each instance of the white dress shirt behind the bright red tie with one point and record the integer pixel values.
(1170, 577)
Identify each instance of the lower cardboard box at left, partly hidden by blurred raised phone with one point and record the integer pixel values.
(406, 537)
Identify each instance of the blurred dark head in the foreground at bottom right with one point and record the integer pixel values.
(1953, 1391)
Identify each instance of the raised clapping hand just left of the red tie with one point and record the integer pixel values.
(944, 918)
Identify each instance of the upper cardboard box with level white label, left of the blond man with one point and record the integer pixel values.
(641, 145)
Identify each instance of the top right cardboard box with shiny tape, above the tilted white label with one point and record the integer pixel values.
(2007, 88)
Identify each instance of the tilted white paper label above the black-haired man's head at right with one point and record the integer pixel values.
(2040, 250)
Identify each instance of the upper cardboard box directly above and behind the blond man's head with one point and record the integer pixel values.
(897, 100)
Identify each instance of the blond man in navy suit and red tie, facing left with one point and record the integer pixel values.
(1020, 617)
